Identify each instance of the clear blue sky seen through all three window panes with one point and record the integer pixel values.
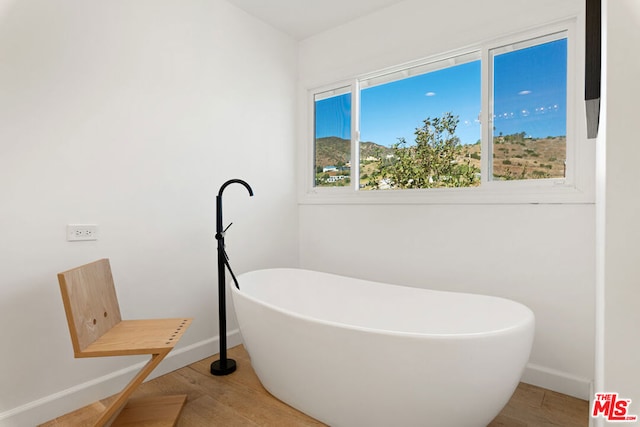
(529, 91)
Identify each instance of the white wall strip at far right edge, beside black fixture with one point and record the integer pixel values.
(620, 354)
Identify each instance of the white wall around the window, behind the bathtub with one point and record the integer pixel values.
(541, 255)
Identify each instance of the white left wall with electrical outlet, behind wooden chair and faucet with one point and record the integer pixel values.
(130, 115)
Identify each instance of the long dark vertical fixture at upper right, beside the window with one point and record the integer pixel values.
(592, 65)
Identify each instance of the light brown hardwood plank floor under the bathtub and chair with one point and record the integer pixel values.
(240, 400)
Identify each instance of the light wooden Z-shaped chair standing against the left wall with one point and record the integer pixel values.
(97, 330)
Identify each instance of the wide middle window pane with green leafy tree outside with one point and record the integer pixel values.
(422, 131)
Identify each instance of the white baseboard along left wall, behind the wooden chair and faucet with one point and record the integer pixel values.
(65, 401)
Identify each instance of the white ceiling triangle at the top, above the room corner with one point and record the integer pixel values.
(304, 18)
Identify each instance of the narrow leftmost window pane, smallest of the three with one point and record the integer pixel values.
(332, 150)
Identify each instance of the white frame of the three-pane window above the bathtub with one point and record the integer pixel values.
(574, 188)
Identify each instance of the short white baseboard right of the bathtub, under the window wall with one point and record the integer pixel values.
(559, 381)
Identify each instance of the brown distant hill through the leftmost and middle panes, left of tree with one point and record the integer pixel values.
(334, 151)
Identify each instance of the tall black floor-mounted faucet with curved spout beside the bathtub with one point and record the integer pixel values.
(224, 366)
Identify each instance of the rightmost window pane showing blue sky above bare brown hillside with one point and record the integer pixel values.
(530, 112)
